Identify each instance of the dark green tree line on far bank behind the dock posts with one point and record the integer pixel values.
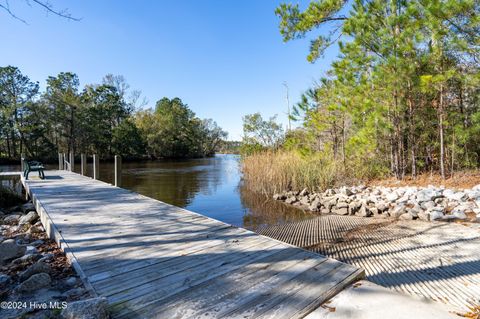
(105, 119)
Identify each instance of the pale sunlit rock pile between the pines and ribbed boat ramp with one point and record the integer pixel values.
(407, 203)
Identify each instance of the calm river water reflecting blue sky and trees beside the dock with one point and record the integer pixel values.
(209, 186)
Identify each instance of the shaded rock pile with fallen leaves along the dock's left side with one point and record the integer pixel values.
(35, 274)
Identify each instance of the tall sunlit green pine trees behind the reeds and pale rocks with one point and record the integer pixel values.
(403, 95)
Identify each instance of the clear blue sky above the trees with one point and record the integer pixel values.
(224, 59)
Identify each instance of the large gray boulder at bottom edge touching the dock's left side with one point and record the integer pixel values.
(95, 308)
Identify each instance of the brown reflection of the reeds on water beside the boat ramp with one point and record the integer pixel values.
(261, 211)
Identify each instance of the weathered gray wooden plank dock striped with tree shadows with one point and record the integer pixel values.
(154, 260)
